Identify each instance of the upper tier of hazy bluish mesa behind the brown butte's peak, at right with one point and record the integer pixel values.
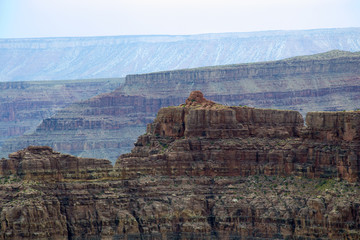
(307, 83)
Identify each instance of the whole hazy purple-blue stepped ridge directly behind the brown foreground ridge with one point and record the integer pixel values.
(329, 81)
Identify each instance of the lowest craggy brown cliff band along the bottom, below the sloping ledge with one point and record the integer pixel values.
(181, 207)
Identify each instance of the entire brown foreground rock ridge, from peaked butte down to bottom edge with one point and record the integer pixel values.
(201, 170)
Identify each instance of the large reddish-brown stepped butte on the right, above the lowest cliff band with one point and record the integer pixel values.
(220, 141)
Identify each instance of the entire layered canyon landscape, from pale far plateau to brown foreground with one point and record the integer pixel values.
(273, 153)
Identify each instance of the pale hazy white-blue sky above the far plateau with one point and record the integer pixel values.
(58, 18)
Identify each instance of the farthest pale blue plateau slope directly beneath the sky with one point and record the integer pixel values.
(118, 56)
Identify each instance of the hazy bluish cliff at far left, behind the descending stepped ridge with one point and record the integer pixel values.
(23, 105)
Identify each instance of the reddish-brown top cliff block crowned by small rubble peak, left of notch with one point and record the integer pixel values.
(199, 117)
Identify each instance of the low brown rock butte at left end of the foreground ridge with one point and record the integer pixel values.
(42, 163)
